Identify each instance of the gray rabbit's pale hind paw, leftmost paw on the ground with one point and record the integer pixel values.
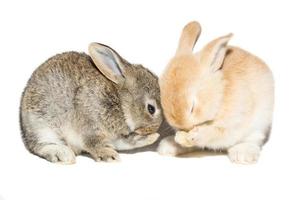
(58, 154)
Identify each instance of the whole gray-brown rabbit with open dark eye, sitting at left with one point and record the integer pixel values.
(97, 104)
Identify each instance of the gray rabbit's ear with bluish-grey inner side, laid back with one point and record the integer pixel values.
(107, 61)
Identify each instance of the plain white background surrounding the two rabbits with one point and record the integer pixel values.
(147, 33)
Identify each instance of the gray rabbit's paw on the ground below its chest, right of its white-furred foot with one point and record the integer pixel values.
(106, 154)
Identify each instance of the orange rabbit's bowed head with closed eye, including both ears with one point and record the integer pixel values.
(192, 84)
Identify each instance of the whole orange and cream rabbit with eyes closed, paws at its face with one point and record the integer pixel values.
(218, 98)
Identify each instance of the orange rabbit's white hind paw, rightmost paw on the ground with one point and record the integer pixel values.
(244, 153)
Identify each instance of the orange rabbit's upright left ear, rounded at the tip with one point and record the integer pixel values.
(188, 38)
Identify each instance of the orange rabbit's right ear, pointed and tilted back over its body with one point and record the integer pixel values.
(213, 54)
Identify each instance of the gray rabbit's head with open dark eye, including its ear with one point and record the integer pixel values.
(137, 88)
